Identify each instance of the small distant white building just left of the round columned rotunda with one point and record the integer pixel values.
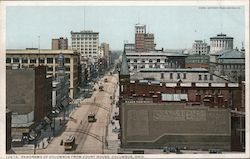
(200, 47)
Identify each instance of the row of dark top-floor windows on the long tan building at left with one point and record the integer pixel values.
(34, 60)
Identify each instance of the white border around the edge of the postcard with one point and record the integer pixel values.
(4, 4)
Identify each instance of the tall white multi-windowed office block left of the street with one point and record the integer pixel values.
(86, 43)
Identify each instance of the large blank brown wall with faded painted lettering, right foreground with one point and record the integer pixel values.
(150, 125)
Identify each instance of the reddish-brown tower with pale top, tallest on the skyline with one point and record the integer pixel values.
(143, 41)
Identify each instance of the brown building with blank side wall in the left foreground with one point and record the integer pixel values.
(29, 93)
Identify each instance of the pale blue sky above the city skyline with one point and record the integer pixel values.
(174, 27)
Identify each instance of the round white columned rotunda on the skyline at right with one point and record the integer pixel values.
(220, 42)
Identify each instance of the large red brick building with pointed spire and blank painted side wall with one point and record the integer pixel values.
(182, 90)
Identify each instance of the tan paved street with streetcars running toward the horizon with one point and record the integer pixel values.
(90, 137)
